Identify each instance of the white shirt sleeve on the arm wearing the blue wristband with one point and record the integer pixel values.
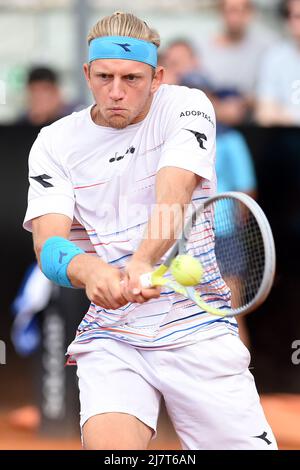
(50, 189)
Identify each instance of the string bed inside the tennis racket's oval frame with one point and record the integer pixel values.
(227, 241)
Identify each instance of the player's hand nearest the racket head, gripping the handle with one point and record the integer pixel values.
(131, 287)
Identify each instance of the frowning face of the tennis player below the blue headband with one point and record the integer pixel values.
(123, 90)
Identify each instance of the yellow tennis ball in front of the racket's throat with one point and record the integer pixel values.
(186, 270)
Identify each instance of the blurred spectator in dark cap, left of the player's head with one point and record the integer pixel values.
(45, 101)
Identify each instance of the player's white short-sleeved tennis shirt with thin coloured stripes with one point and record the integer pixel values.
(103, 179)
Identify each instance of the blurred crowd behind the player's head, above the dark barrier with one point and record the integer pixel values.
(243, 53)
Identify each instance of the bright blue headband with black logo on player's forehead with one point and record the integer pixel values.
(123, 47)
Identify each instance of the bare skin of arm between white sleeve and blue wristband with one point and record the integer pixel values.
(47, 226)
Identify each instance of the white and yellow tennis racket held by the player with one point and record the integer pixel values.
(231, 238)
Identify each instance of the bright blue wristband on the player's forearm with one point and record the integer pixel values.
(56, 254)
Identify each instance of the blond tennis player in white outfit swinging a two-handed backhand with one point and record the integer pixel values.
(118, 174)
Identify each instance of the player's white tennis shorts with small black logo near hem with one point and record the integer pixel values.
(209, 392)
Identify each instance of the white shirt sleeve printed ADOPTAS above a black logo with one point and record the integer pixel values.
(190, 141)
